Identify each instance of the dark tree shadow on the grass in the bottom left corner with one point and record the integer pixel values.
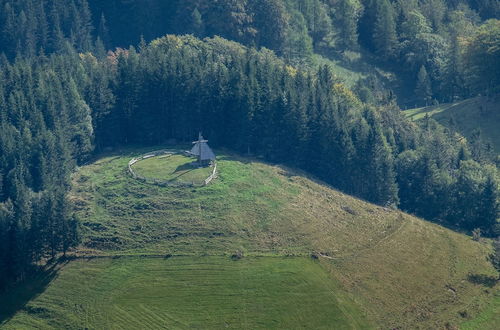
(15, 298)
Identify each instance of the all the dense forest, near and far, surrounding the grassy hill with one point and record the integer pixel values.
(67, 92)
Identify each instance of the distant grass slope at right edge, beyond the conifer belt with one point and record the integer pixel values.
(466, 116)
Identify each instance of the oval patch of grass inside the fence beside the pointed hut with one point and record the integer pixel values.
(176, 168)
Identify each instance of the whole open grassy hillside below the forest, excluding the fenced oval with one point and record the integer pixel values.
(162, 257)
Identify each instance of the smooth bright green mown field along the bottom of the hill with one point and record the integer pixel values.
(190, 293)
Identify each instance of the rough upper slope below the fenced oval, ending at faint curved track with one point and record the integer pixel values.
(252, 207)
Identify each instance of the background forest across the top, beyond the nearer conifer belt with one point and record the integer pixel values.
(447, 48)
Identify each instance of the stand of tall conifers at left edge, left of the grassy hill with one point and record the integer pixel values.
(45, 129)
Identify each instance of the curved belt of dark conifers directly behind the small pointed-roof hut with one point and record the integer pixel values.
(253, 102)
